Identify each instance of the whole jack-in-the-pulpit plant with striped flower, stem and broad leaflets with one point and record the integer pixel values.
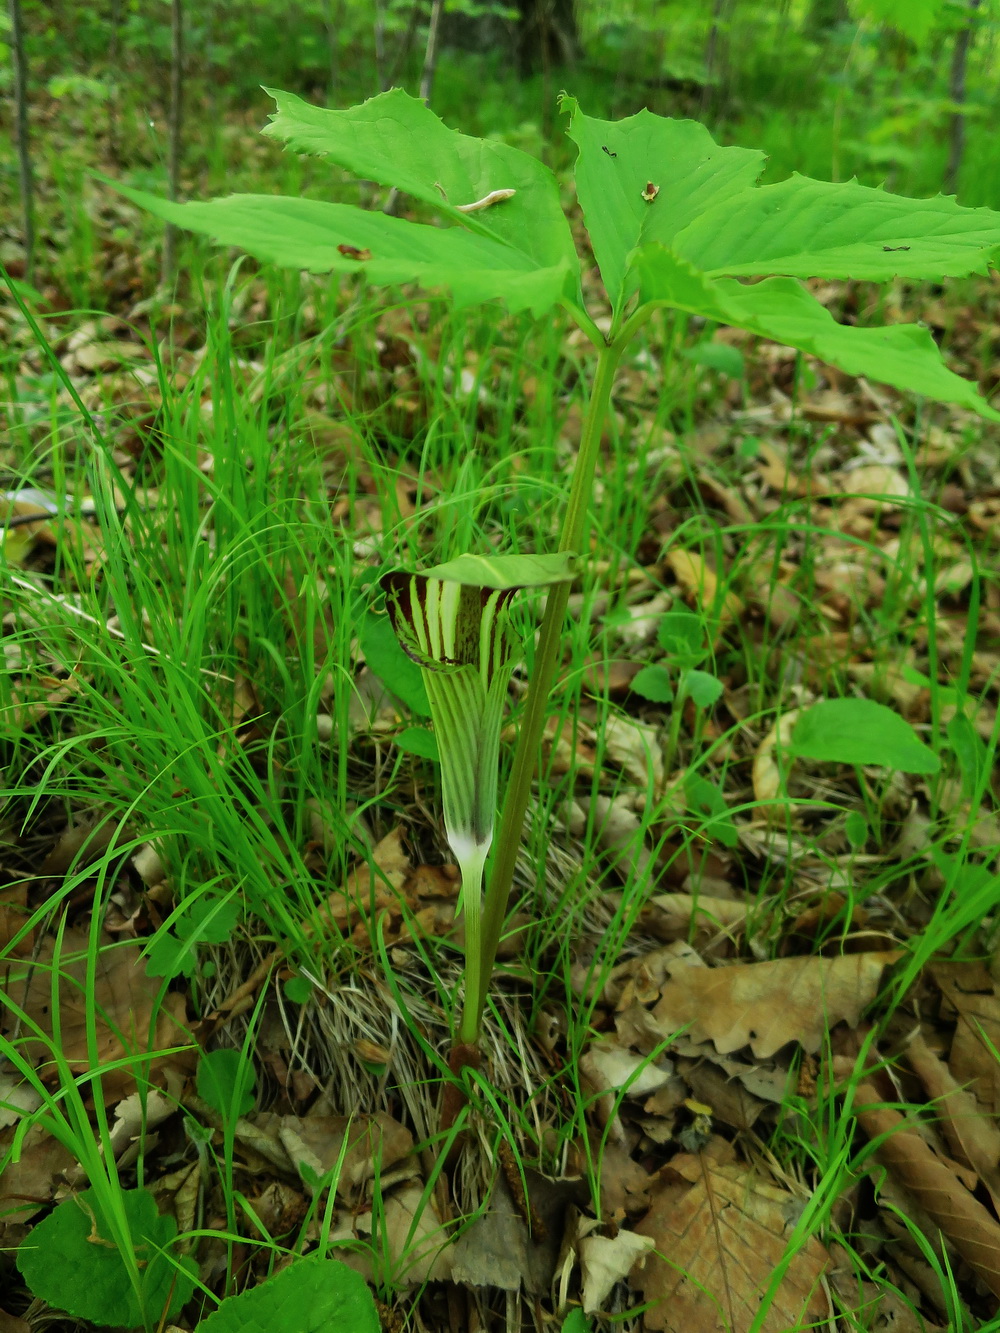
(675, 221)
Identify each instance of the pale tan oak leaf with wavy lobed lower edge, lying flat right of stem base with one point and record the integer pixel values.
(765, 1006)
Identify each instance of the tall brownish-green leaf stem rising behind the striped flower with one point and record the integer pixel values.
(546, 661)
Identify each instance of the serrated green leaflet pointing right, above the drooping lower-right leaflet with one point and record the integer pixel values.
(813, 229)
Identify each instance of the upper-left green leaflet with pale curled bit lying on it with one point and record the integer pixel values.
(397, 141)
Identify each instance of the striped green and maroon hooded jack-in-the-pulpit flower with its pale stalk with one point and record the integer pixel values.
(454, 622)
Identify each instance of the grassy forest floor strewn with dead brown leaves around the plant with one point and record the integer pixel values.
(742, 1051)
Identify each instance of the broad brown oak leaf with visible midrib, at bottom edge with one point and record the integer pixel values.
(722, 1234)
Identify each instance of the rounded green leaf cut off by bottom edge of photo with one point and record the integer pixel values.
(314, 1296)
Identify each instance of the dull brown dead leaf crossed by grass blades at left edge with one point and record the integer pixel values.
(123, 1011)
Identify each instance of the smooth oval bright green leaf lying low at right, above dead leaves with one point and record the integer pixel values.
(859, 731)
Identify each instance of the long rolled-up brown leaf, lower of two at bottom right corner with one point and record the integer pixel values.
(967, 1224)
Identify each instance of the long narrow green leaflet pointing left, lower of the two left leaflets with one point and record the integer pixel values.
(325, 238)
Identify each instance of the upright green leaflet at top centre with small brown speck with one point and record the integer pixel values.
(619, 159)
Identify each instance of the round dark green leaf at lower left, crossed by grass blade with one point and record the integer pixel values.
(71, 1262)
